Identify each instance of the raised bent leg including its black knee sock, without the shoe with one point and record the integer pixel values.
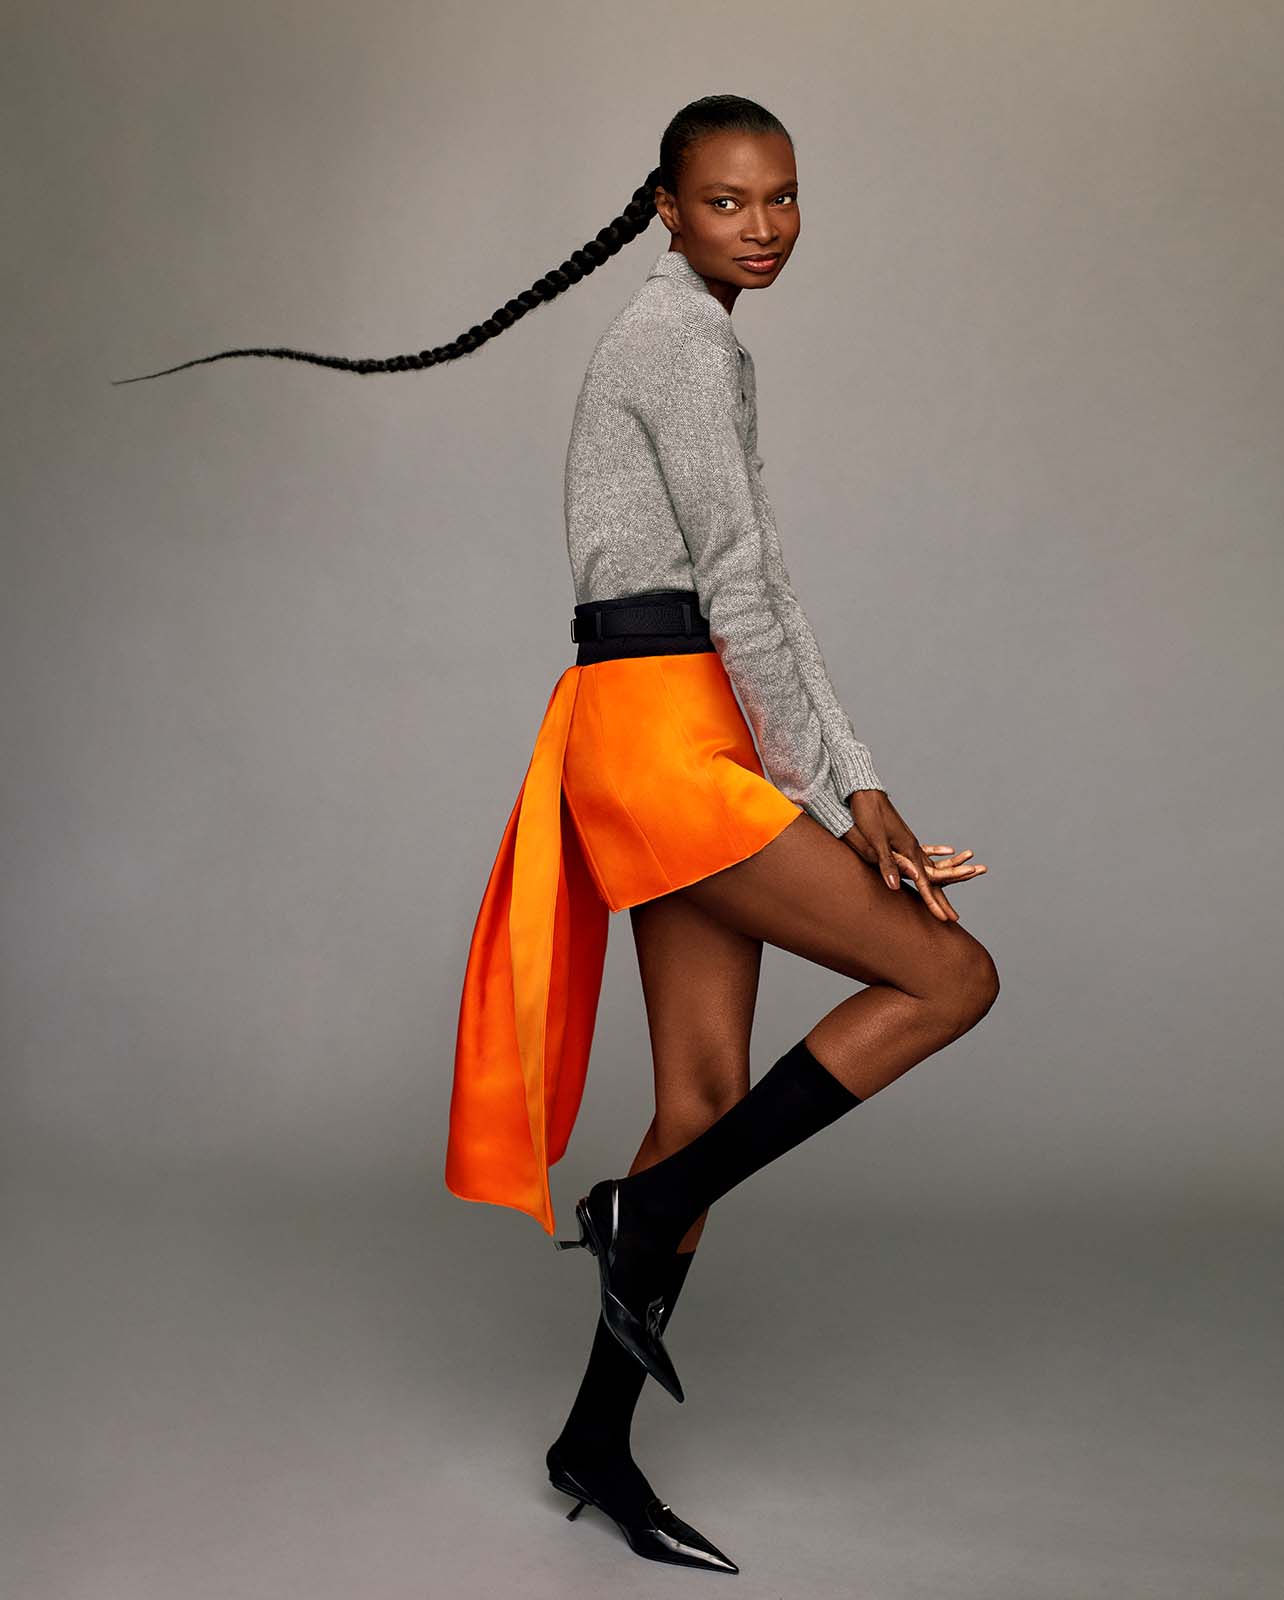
(928, 982)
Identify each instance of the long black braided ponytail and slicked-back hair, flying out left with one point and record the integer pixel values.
(710, 114)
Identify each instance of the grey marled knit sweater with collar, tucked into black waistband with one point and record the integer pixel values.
(664, 490)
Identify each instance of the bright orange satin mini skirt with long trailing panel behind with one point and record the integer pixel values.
(644, 778)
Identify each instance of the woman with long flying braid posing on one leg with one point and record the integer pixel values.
(648, 791)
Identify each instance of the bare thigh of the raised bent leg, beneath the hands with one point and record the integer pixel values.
(813, 895)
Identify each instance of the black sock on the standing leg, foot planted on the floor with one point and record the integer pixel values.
(596, 1436)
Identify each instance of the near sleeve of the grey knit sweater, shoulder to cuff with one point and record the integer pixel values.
(686, 399)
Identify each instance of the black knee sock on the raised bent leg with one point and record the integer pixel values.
(792, 1102)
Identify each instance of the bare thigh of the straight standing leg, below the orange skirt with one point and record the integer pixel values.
(700, 990)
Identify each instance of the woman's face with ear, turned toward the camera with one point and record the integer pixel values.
(737, 199)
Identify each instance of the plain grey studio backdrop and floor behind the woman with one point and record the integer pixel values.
(1009, 1330)
